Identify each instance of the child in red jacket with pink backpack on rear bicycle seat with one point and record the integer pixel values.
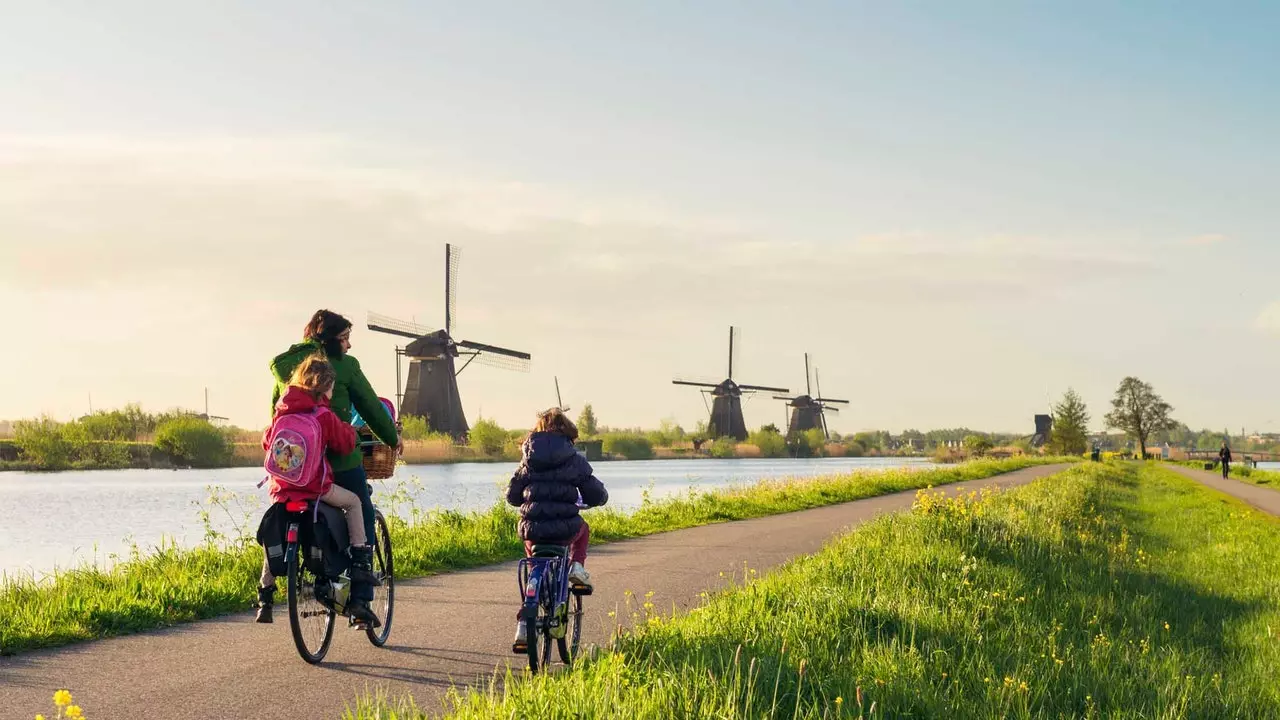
(303, 431)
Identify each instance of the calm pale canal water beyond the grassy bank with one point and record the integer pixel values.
(62, 520)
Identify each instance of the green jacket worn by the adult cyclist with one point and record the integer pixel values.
(351, 390)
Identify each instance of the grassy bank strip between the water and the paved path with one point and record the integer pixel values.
(173, 586)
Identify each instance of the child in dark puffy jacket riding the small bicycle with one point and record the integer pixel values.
(551, 485)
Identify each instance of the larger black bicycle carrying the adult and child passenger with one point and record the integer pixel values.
(317, 598)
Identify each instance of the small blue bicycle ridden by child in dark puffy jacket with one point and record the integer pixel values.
(552, 607)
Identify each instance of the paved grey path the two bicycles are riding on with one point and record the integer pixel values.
(449, 630)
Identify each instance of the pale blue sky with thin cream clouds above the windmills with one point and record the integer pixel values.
(959, 209)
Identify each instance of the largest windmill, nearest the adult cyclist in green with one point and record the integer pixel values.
(432, 390)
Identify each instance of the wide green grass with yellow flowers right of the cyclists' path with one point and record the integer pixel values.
(1108, 591)
